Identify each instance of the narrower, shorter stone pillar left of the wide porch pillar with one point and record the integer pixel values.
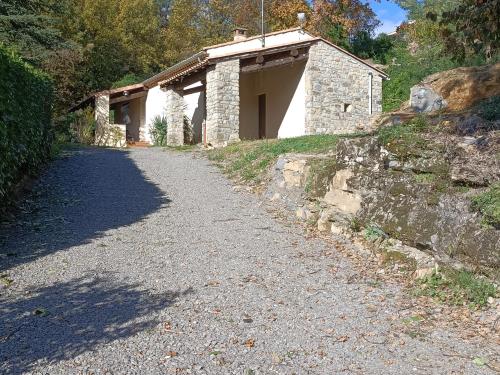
(175, 117)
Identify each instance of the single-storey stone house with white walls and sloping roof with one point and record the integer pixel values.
(288, 84)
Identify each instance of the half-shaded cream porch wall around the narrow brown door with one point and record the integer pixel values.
(285, 102)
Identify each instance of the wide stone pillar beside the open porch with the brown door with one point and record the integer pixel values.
(223, 103)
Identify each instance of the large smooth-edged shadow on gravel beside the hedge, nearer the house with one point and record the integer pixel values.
(81, 196)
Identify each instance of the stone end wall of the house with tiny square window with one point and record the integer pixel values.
(337, 97)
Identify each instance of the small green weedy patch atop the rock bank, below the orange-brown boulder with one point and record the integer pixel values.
(405, 140)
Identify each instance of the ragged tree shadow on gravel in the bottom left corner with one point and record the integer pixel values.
(70, 318)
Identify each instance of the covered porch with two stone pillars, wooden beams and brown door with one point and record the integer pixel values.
(247, 95)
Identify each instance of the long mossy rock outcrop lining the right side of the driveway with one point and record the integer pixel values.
(423, 201)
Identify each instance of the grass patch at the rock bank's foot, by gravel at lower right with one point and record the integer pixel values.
(457, 288)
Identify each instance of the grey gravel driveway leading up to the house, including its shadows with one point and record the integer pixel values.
(148, 262)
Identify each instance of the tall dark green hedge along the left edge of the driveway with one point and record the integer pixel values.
(25, 116)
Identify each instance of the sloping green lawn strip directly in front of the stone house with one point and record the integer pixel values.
(249, 160)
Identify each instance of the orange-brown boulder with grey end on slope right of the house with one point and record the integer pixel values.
(456, 89)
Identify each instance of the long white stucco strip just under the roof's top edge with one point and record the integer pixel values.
(293, 36)
